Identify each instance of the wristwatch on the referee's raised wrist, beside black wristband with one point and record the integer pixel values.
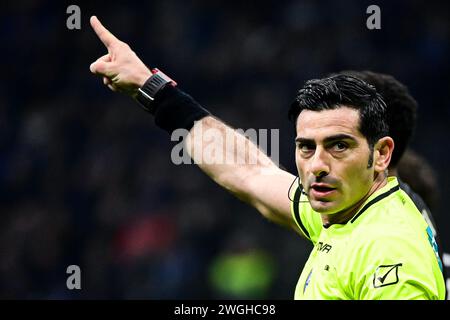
(146, 93)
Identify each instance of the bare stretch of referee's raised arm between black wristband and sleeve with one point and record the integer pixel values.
(244, 169)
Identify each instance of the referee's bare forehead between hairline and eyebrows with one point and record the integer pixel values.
(320, 124)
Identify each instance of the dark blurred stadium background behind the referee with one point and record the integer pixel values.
(86, 178)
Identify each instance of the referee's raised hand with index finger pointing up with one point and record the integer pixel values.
(121, 68)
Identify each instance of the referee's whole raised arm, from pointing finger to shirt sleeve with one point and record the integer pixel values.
(250, 175)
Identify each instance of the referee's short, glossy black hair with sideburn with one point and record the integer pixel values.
(344, 90)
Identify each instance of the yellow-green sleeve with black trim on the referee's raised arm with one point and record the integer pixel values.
(307, 220)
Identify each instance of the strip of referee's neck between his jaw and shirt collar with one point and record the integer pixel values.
(348, 213)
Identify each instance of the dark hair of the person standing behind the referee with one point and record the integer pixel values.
(401, 108)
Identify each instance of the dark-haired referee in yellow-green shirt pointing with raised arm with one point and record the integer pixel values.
(371, 242)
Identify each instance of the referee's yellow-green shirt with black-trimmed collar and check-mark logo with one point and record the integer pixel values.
(386, 251)
